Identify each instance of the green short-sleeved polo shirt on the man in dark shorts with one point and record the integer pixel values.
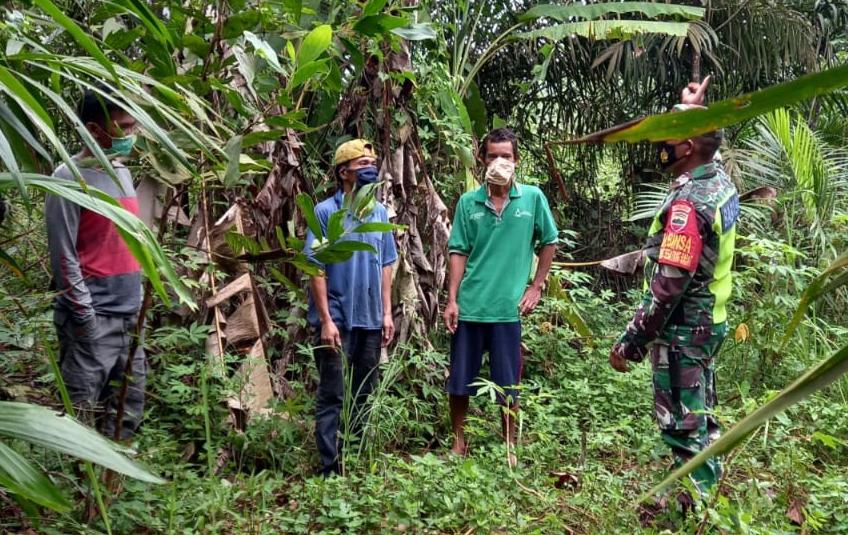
(499, 250)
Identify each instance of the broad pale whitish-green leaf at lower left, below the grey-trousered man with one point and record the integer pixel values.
(45, 428)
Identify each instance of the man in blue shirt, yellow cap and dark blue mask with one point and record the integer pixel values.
(350, 306)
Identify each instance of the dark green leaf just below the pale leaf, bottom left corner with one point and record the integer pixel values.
(19, 477)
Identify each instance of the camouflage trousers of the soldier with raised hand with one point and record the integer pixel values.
(684, 398)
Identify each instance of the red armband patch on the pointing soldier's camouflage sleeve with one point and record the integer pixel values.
(682, 242)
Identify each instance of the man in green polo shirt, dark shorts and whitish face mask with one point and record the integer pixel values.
(496, 230)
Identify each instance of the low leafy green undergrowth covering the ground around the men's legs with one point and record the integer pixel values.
(588, 447)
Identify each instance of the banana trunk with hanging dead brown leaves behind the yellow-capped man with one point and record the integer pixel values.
(411, 198)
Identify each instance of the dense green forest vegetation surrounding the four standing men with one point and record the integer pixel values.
(241, 104)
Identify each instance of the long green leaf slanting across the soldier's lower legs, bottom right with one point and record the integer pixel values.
(814, 379)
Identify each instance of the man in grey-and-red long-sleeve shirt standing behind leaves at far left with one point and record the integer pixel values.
(97, 279)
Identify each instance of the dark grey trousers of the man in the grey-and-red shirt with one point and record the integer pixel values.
(92, 360)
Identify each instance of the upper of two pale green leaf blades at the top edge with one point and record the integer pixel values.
(565, 13)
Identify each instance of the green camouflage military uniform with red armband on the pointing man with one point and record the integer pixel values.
(689, 255)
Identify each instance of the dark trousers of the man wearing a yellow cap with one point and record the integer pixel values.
(361, 348)
